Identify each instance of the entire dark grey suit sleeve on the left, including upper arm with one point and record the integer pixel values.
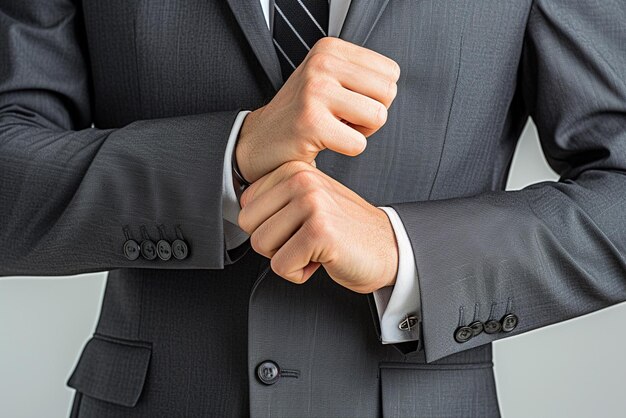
(67, 189)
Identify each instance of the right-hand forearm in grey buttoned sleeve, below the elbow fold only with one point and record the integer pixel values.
(546, 254)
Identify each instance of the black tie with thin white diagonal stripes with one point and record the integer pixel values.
(298, 25)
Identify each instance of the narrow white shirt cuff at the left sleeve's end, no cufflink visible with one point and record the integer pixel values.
(233, 235)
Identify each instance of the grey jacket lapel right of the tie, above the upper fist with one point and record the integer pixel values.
(361, 19)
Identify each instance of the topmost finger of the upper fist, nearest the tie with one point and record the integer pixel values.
(358, 55)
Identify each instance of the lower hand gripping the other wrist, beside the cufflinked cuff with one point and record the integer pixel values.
(301, 219)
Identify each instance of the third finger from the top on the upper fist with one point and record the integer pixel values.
(358, 109)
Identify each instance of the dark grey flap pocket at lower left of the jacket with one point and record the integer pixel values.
(112, 370)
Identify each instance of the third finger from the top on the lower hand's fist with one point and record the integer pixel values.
(272, 234)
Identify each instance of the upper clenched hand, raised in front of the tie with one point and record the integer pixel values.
(336, 98)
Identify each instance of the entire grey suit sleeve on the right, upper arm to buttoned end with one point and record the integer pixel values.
(552, 251)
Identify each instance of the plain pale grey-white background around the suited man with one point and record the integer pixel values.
(570, 370)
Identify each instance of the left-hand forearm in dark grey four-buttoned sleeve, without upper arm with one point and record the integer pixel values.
(67, 196)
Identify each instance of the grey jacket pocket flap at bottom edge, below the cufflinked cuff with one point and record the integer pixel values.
(446, 390)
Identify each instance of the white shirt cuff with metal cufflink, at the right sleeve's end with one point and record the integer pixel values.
(399, 306)
